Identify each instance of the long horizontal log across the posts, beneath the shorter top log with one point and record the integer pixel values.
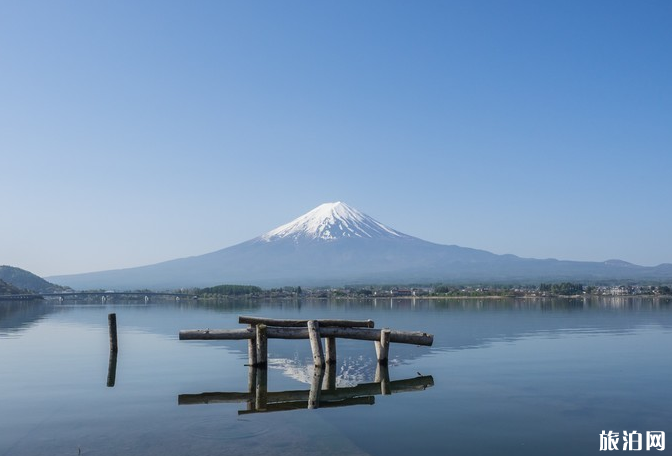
(402, 337)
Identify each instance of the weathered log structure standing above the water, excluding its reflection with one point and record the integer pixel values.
(261, 329)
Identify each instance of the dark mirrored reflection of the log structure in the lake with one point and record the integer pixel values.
(322, 393)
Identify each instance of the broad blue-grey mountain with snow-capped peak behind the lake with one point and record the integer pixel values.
(335, 244)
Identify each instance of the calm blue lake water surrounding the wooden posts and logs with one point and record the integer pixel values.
(510, 377)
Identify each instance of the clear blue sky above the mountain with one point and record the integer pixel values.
(137, 132)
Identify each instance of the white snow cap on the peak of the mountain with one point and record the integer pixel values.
(332, 221)
